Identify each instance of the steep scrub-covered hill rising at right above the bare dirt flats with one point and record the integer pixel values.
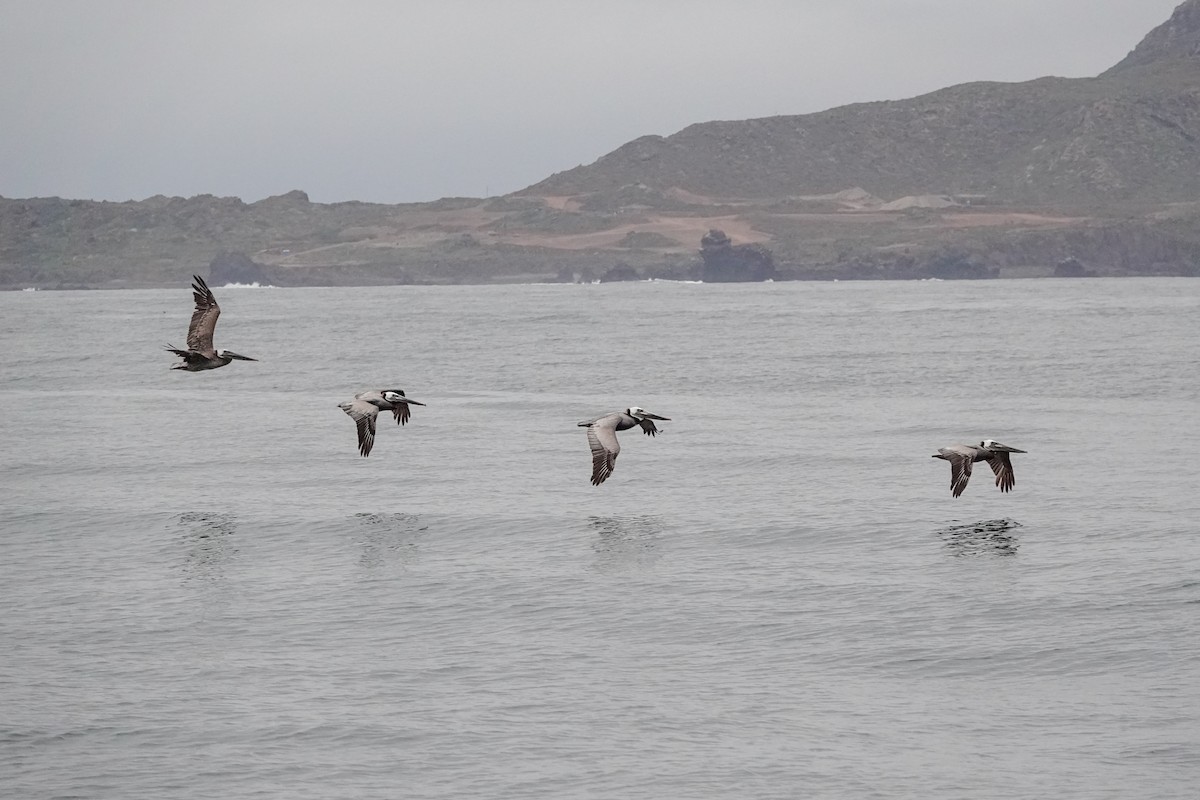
(1126, 136)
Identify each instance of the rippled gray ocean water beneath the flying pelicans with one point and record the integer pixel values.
(207, 593)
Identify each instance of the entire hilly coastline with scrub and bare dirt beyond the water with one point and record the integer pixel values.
(1052, 177)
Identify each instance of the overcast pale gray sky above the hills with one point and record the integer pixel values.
(393, 101)
